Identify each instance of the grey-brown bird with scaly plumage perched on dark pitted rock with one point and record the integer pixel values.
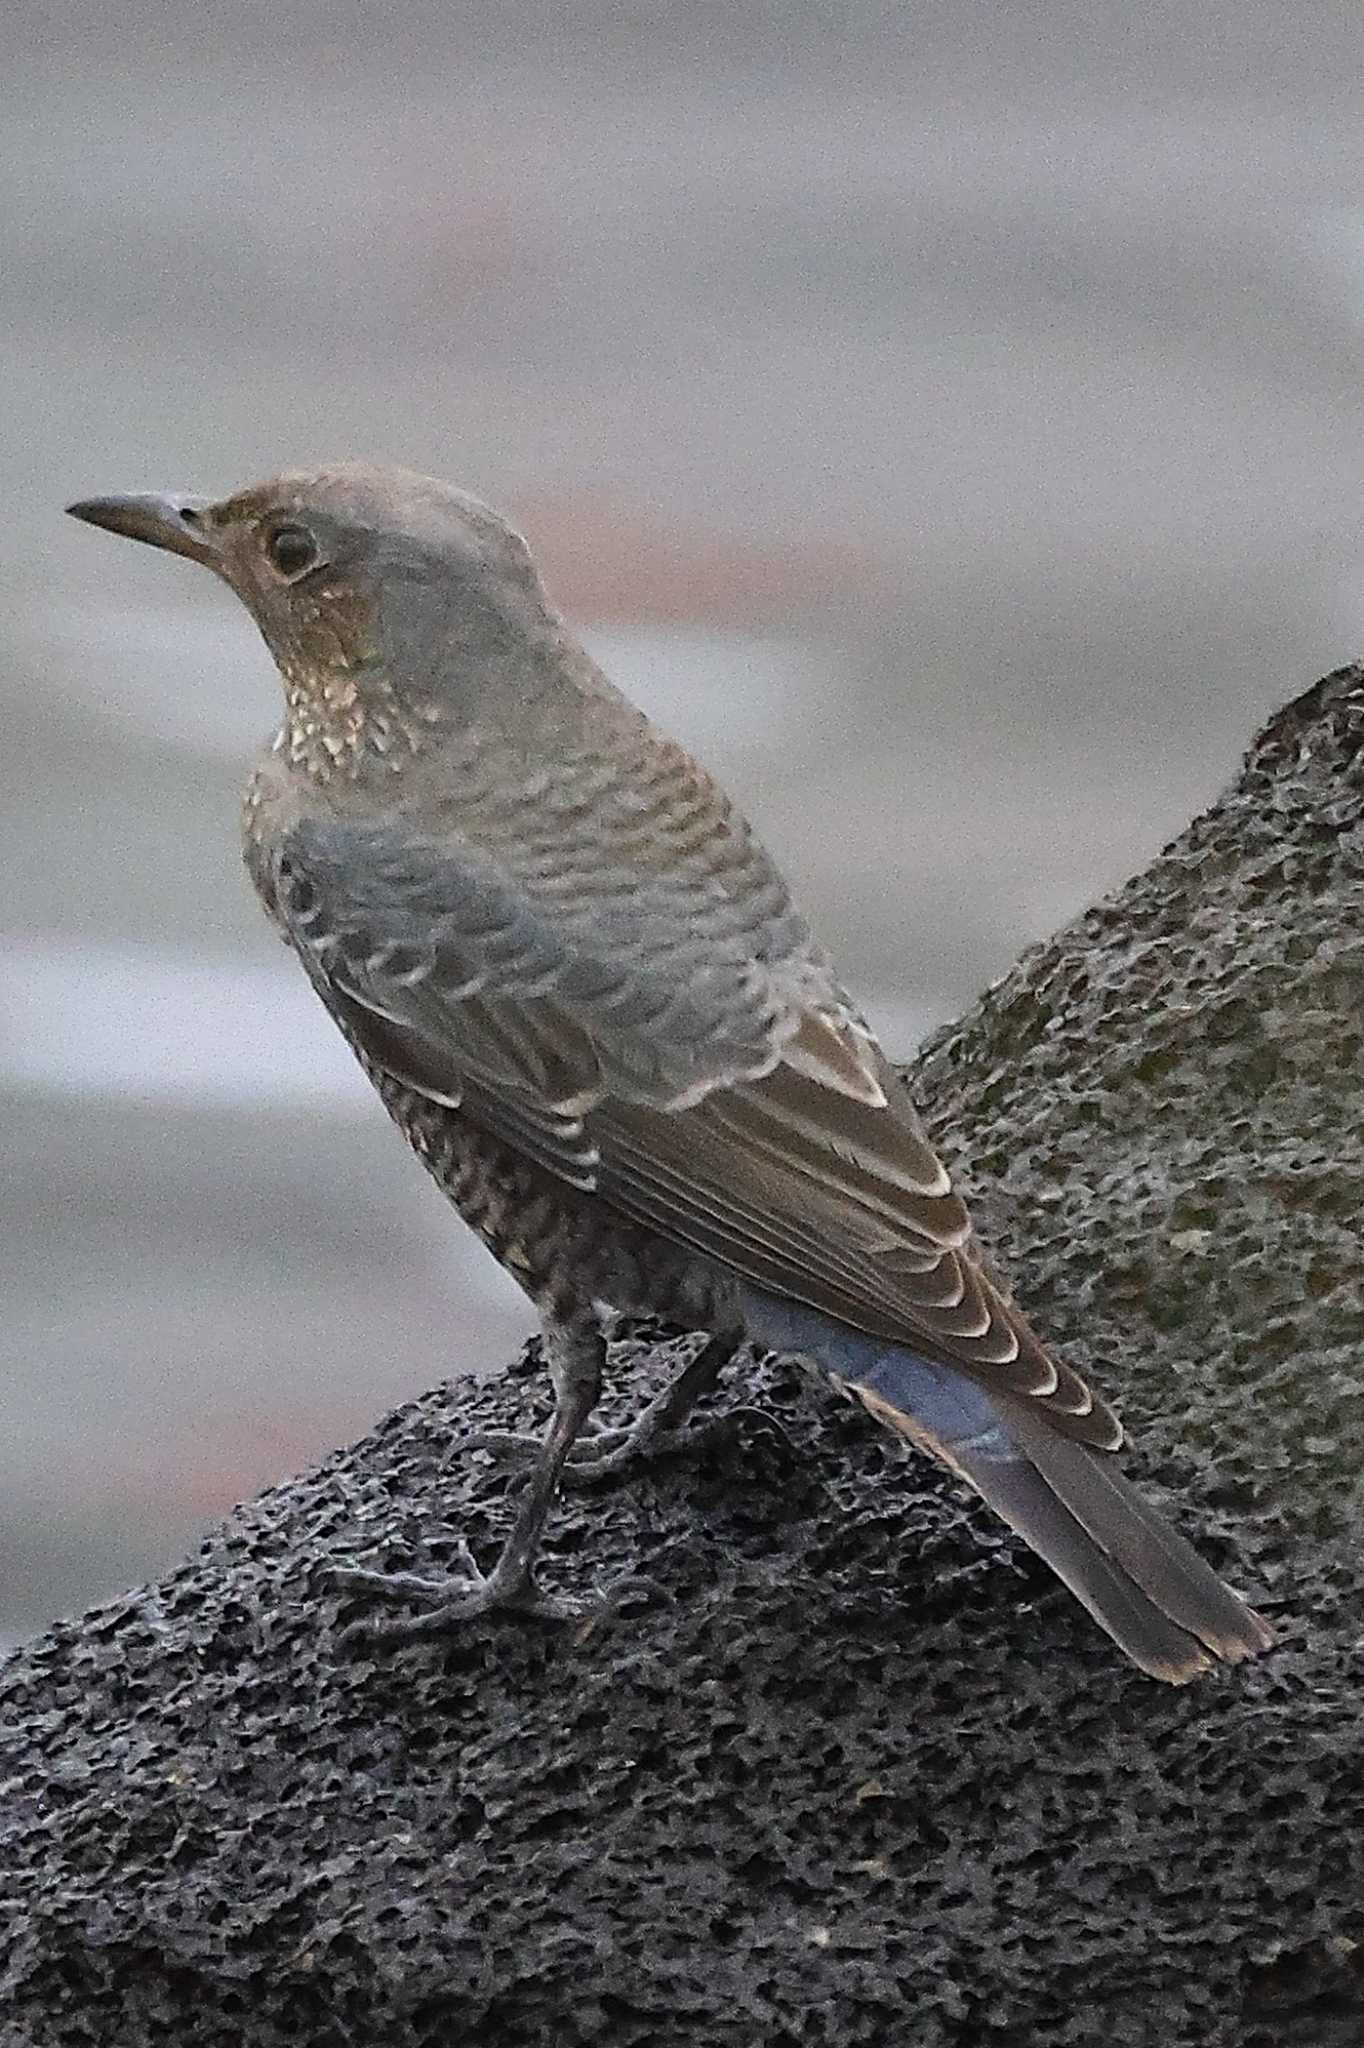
(589, 1000)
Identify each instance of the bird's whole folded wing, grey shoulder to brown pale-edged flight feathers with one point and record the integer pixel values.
(701, 1076)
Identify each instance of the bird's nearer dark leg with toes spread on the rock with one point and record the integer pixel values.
(577, 1353)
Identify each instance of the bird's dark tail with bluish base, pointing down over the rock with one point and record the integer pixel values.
(1121, 1560)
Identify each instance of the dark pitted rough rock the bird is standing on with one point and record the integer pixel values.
(847, 1766)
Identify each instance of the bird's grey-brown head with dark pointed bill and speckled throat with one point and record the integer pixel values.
(392, 603)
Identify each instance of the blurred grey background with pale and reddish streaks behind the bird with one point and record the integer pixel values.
(949, 419)
